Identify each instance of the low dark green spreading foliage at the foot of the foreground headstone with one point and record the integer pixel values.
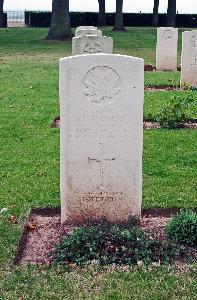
(105, 243)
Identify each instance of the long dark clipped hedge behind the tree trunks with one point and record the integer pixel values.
(43, 19)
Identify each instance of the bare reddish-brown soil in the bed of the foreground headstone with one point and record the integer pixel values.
(44, 231)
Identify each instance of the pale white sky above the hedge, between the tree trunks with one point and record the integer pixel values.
(183, 6)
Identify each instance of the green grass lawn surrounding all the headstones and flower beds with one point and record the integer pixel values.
(30, 167)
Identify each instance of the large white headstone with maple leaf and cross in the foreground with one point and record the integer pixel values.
(101, 99)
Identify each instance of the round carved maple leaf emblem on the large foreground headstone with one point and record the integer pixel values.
(101, 85)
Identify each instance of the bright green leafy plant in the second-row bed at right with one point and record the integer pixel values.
(175, 111)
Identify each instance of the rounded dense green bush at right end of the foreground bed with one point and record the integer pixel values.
(183, 228)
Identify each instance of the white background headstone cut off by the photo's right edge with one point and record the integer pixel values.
(189, 58)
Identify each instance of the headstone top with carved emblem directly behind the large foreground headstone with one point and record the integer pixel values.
(91, 44)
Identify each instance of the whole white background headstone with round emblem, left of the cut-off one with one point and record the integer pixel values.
(166, 51)
